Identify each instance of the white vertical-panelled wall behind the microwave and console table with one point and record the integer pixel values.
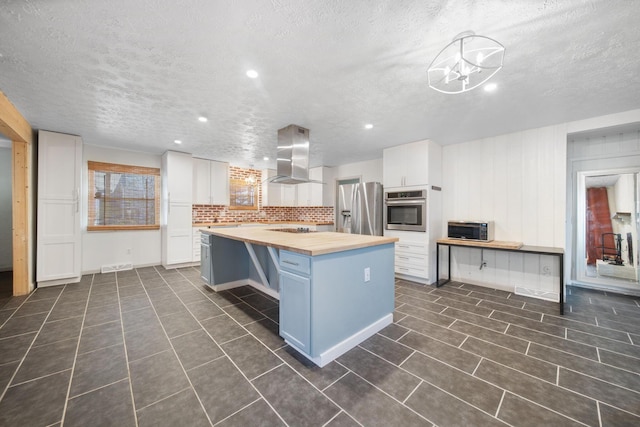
(518, 181)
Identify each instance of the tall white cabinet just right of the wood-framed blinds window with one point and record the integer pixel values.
(177, 189)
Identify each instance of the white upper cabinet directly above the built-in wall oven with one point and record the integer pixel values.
(413, 164)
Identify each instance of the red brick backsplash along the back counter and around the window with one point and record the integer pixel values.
(202, 214)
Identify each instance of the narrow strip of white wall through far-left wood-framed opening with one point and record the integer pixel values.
(6, 228)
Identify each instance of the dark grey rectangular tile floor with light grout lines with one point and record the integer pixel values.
(155, 347)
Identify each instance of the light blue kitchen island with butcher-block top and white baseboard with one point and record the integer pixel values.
(335, 289)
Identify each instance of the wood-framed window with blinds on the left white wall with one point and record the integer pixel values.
(123, 197)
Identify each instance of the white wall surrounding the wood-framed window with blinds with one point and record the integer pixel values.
(141, 248)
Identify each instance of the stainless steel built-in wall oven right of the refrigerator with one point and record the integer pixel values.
(406, 210)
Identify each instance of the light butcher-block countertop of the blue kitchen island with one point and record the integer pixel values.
(311, 244)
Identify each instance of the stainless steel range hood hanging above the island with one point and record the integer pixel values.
(293, 156)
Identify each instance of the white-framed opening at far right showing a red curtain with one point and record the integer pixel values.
(607, 228)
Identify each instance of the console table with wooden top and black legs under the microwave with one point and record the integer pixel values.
(499, 246)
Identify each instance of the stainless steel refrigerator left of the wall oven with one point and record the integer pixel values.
(359, 208)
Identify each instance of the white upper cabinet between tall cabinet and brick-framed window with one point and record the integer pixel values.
(210, 182)
